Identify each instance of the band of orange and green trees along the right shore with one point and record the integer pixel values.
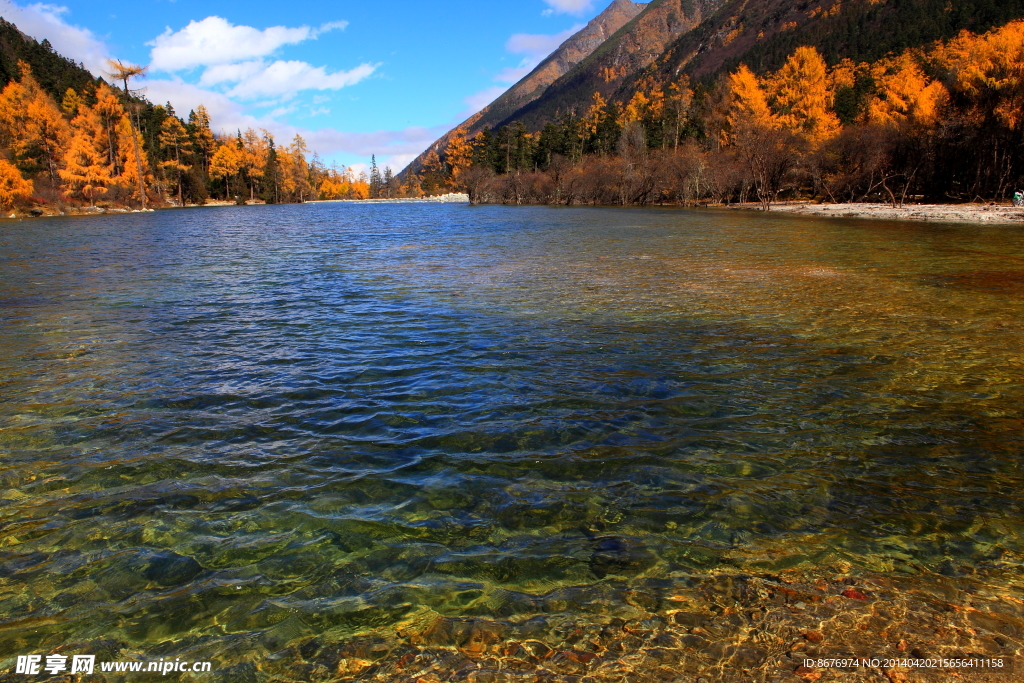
(943, 123)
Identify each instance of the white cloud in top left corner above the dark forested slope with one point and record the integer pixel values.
(47, 22)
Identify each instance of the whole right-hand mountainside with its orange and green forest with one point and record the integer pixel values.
(851, 101)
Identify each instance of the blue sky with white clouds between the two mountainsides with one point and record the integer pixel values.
(355, 79)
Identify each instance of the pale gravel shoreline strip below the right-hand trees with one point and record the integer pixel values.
(945, 214)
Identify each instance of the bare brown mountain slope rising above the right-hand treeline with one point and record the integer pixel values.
(704, 39)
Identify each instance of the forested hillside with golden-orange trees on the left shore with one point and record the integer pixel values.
(70, 142)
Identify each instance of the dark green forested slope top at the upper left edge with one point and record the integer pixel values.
(55, 73)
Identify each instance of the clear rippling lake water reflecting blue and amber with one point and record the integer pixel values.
(405, 443)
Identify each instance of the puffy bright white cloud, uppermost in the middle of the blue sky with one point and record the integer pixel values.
(218, 41)
